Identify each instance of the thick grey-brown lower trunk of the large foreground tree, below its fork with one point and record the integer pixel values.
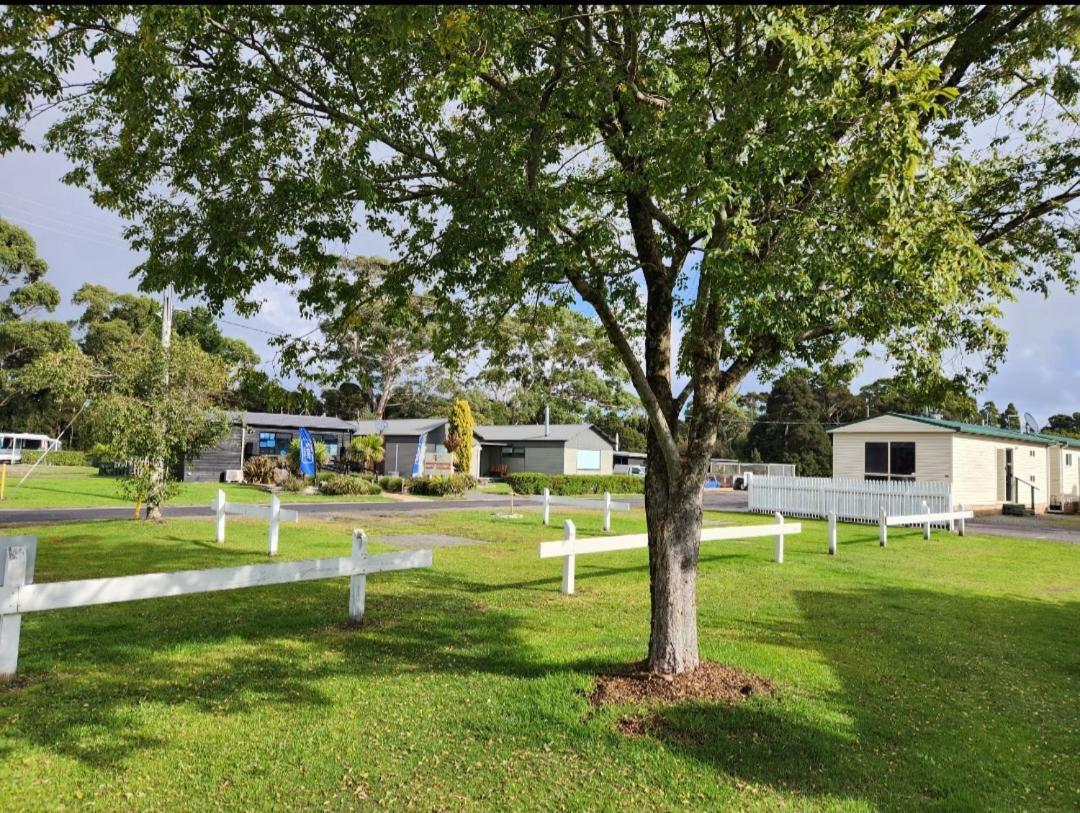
(674, 521)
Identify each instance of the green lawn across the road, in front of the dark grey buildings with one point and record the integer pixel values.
(71, 487)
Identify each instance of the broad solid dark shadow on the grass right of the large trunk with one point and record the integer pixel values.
(946, 702)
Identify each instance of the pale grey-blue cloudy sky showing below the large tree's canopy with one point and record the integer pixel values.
(82, 243)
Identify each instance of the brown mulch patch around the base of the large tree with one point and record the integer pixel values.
(711, 682)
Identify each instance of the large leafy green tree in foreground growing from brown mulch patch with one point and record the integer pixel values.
(777, 183)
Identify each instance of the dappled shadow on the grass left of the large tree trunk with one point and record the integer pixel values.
(224, 654)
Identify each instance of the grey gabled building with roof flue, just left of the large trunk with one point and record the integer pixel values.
(559, 449)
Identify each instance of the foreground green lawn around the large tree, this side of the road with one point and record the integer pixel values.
(926, 676)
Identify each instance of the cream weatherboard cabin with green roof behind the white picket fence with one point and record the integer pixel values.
(987, 466)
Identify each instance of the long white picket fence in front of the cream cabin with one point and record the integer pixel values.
(852, 500)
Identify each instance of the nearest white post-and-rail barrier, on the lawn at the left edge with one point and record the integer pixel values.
(20, 595)
